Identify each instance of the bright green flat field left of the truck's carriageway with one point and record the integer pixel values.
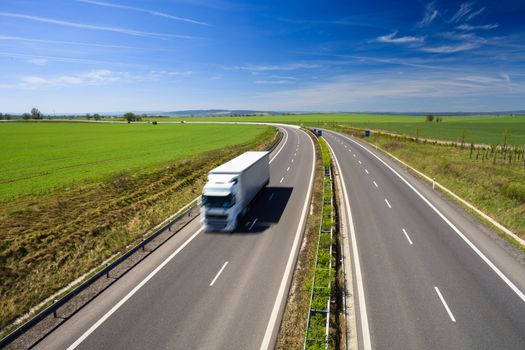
(38, 157)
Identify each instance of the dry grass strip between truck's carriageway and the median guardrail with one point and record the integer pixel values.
(292, 330)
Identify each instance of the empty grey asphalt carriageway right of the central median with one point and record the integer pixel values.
(431, 275)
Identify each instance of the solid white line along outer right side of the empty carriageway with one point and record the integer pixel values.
(494, 268)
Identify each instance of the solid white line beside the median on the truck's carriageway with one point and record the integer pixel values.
(290, 264)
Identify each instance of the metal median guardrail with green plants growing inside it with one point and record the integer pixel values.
(326, 312)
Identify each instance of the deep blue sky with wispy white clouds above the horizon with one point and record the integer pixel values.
(115, 55)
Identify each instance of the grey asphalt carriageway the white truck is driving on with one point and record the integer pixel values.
(208, 290)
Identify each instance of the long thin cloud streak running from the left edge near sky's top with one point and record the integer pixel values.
(94, 27)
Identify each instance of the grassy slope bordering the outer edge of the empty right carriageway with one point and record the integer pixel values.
(496, 189)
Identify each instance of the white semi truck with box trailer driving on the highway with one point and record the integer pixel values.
(230, 189)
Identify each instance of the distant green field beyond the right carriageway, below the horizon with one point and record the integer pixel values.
(479, 129)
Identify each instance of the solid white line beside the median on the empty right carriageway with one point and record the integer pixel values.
(365, 331)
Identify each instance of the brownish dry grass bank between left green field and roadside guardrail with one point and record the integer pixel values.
(49, 240)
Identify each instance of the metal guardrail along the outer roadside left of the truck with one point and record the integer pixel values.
(52, 309)
